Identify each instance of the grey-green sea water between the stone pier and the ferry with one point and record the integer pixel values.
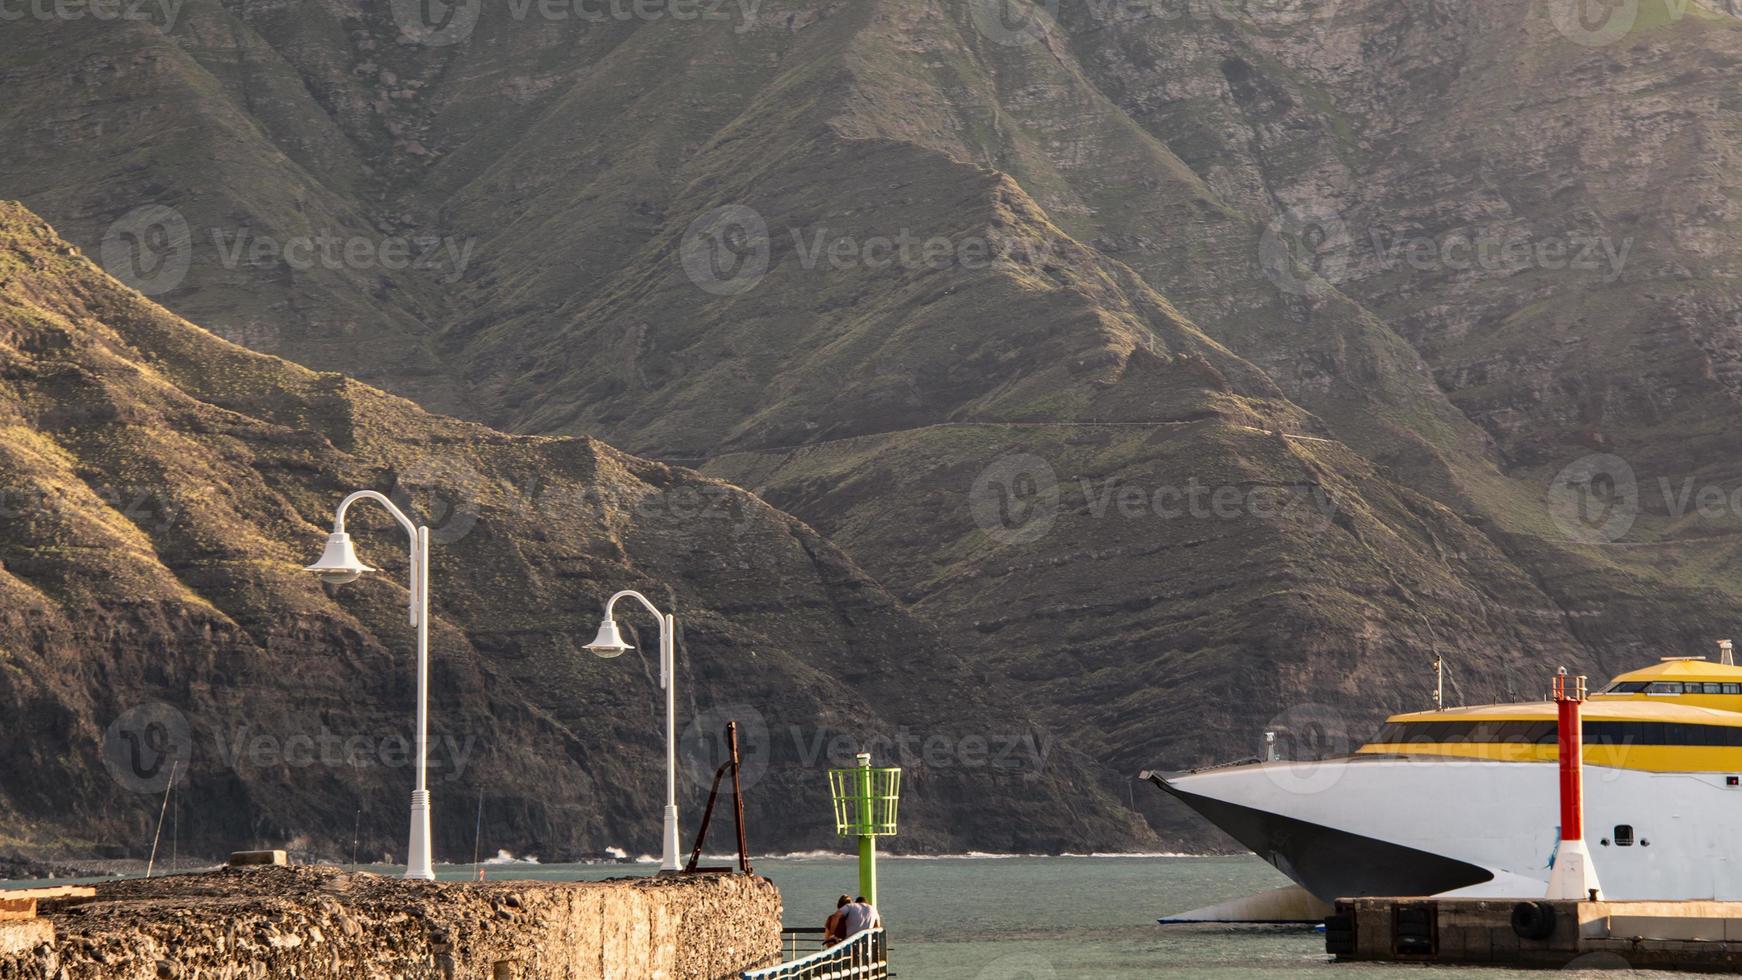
(1063, 918)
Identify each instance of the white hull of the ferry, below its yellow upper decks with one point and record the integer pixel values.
(1421, 826)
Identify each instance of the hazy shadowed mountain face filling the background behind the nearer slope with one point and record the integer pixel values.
(1194, 368)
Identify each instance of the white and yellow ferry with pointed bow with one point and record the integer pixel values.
(1464, 802)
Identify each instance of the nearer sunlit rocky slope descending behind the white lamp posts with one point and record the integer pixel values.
(165, 488)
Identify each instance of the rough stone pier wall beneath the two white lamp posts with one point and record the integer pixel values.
(325, 923)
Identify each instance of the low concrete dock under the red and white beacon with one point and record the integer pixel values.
(1508, 932)
